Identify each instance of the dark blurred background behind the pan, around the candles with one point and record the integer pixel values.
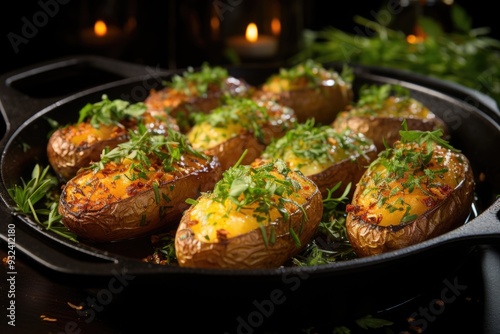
(174, 33)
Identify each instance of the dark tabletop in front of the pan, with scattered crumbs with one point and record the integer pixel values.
(47, 302)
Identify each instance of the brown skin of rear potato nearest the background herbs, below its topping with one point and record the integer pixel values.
(322, 103)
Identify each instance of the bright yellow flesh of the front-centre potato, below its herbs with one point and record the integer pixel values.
(213, 217)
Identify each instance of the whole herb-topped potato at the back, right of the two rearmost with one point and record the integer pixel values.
(310, 89)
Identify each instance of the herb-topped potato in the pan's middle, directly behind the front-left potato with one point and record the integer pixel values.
(240, 125)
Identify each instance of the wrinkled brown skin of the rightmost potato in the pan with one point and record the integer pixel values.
(370, 239)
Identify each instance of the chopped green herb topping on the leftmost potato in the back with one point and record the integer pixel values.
(109, 112)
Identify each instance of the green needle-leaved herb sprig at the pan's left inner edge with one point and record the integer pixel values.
(37, 198)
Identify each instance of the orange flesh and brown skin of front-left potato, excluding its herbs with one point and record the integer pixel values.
(106, 218)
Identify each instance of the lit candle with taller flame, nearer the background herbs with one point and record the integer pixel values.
(253, 45)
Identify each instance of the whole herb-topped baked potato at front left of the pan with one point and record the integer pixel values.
(136, 188)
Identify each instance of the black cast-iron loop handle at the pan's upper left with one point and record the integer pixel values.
(28, 90)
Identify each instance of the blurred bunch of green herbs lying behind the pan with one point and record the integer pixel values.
(465, 56)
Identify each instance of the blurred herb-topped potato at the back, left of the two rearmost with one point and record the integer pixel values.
(196, 90)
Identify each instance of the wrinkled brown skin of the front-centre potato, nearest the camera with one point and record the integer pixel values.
(248, 251)
